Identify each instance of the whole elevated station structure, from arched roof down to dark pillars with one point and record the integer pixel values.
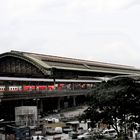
(23, 68)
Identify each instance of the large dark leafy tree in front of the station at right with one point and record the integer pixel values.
(115, 103)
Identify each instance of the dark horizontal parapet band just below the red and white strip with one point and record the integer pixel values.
(42, 94)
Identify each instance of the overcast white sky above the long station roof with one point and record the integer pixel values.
(99, 30)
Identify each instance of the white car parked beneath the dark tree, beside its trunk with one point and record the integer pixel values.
(109, 133)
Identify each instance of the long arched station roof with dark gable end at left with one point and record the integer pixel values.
(16, 63)
